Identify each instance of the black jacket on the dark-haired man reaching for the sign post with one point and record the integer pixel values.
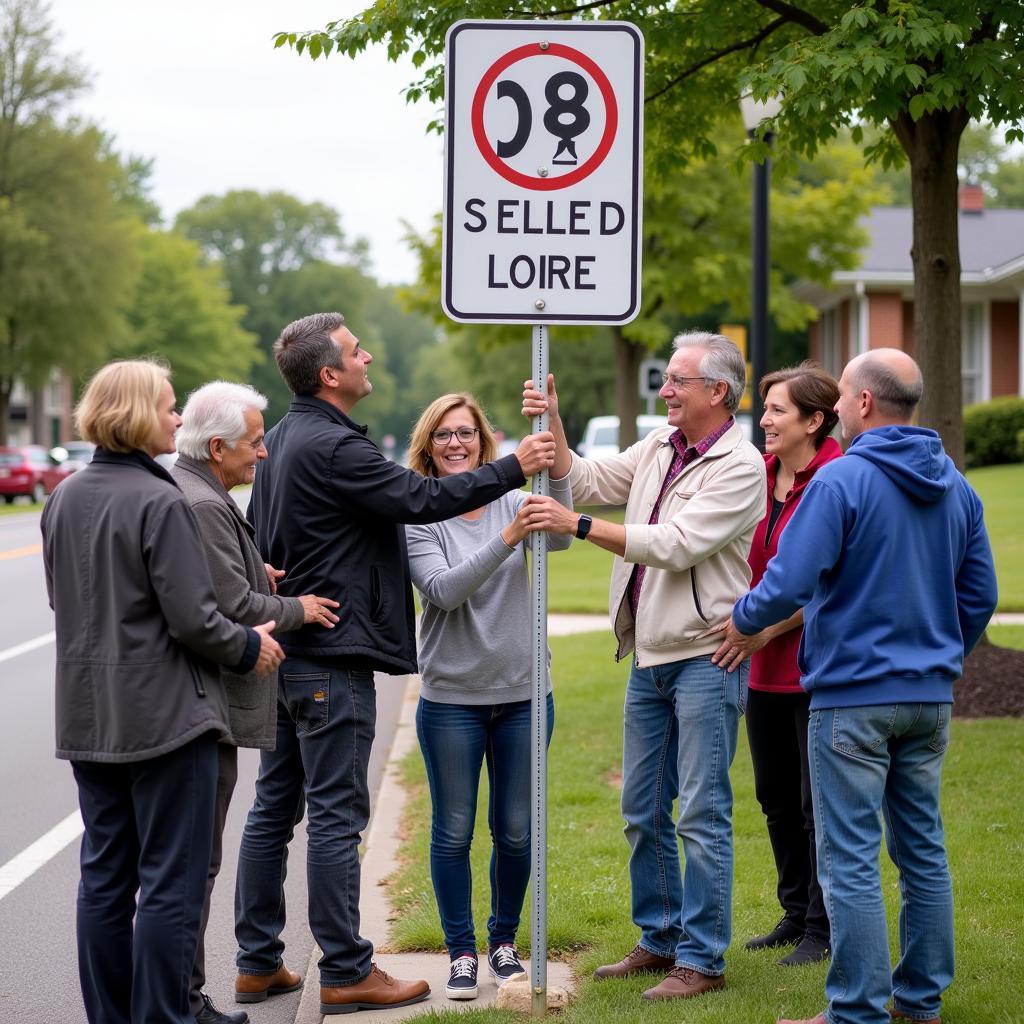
(329, 509)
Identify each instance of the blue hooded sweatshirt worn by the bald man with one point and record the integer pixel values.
(888, 556)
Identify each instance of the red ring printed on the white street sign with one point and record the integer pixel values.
(611, 121)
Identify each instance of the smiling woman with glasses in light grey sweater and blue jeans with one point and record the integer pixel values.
(476, 688)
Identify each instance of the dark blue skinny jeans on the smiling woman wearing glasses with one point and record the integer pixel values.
(456, 740)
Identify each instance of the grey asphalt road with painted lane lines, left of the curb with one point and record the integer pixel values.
(38, 969)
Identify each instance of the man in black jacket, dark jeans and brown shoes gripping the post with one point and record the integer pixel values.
(329, 507)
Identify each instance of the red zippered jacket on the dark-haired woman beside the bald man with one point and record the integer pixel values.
(775, 667)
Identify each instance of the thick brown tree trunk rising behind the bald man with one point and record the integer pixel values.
(932, 145)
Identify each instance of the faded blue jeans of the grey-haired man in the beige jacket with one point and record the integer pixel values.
(680, 731)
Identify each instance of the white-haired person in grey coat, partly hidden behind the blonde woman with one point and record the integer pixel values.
(220, 443)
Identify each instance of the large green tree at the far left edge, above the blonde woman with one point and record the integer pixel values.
(67, 261)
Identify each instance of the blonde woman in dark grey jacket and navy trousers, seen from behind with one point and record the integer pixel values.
(140, 703)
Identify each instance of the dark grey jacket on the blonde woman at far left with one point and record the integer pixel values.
(139, 630)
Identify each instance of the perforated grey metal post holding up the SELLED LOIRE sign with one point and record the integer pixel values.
(539, 719)
